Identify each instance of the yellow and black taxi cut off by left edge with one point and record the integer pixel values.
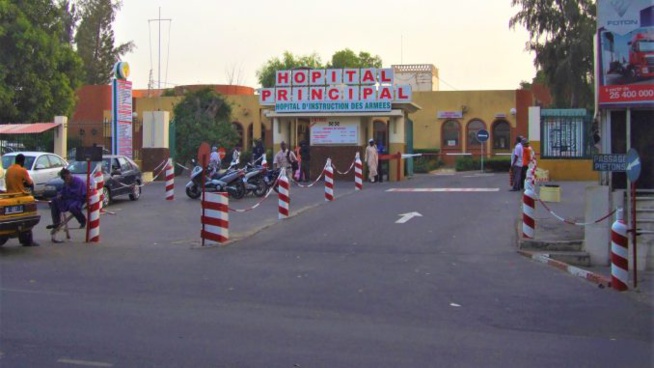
(18, 215)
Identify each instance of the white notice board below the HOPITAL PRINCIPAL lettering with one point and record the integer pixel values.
(327, 131)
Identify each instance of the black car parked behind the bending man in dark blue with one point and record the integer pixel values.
(122, 176)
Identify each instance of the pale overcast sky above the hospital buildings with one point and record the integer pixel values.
(469, 41)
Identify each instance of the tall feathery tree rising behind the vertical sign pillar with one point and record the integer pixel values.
(95, 40)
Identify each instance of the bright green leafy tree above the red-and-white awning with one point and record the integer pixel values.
(39, 72)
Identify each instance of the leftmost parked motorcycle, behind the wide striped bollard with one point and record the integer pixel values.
(230, 181)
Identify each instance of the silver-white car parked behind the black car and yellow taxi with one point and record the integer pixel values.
(42, 167)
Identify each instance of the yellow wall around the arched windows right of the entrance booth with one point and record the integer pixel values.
(482, 105)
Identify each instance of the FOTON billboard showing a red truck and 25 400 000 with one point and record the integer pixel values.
(626, 53)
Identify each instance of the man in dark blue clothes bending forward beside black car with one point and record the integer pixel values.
(71, 198)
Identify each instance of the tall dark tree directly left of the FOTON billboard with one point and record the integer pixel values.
(561, 35)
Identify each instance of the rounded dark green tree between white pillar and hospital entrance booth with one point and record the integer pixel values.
(202, 116)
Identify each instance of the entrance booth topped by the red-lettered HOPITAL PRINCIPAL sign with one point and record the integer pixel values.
(336, 111)
